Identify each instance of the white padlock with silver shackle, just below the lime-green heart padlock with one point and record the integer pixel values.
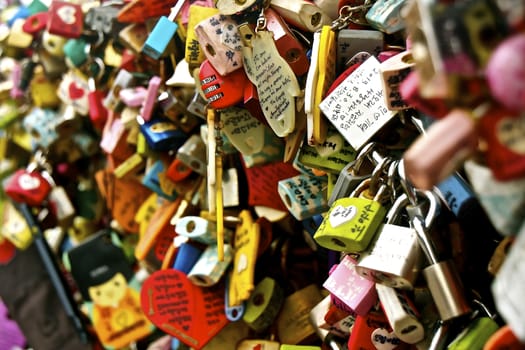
(400, 269)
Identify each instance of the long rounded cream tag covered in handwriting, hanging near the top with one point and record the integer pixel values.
(276, 83)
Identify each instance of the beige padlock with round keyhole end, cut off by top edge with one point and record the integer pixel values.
(304, 15)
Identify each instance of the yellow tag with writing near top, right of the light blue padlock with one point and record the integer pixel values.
(194, 55)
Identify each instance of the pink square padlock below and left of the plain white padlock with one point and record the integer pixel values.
(349, 291)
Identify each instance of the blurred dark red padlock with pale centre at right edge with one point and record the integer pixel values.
(504, 132)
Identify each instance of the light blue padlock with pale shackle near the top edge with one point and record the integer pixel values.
(162, 34)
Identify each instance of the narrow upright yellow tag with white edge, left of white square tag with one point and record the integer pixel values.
(319, 78)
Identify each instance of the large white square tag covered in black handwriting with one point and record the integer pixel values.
(357, 106)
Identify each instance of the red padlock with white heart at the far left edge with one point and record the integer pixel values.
(28, 187)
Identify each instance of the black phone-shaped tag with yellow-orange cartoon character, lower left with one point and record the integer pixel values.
(110, 291)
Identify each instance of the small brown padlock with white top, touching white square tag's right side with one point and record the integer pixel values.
(393, 72)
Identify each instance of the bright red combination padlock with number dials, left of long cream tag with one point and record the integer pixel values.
(222, 91)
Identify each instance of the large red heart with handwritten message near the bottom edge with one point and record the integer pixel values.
(181, 309)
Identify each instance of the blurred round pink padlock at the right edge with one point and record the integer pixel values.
(506, 73)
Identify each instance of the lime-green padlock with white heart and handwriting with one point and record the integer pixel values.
(352, 222)
